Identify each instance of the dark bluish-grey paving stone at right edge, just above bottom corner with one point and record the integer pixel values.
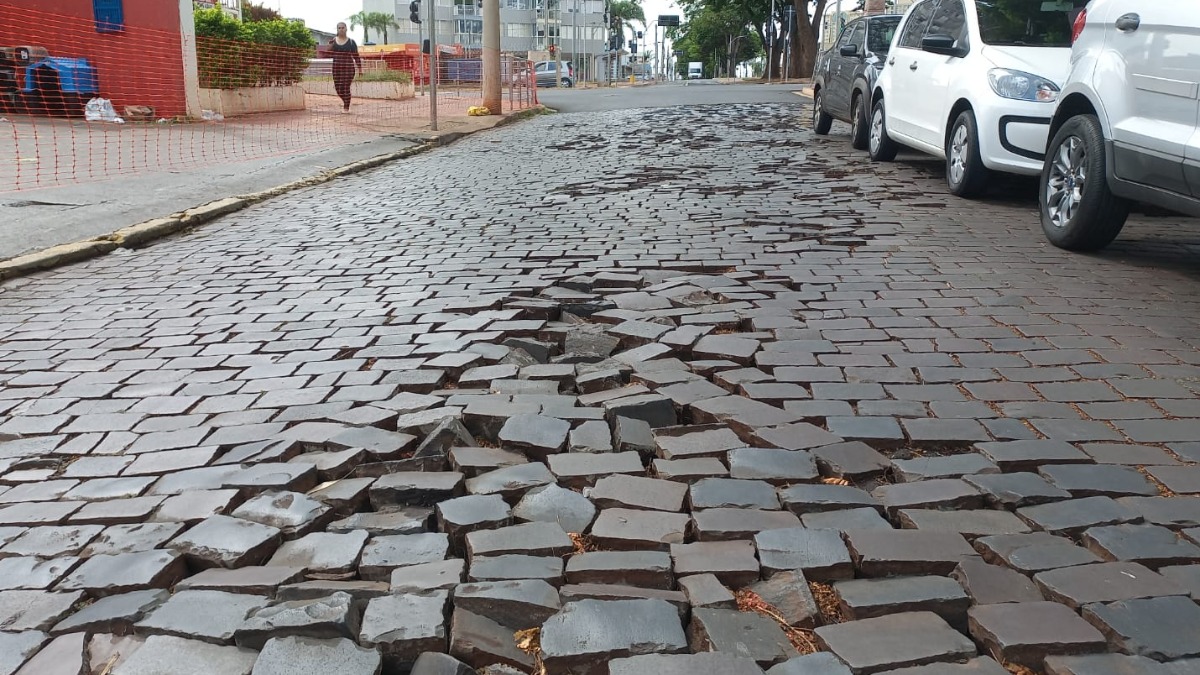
(1160, 629)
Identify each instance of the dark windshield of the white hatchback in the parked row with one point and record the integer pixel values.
(1028, 23)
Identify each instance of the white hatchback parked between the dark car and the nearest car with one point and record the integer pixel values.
(974, 82)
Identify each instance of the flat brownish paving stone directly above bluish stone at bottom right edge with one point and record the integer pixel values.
(1108, 582)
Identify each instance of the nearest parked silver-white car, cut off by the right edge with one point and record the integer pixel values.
(1126, 128)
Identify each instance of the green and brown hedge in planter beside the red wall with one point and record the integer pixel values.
(233, 55)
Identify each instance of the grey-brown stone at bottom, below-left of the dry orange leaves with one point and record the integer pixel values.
(745, 635)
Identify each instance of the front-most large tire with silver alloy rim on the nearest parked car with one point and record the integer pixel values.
(1079, 212)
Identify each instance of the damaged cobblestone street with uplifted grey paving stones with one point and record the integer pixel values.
(681, 391)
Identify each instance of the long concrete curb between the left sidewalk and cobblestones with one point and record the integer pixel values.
(143, 234)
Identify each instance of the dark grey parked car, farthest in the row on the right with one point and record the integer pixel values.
(845, 76)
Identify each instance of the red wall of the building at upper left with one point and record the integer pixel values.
(141, 65)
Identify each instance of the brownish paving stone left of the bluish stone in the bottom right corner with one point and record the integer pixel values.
(1027, 634)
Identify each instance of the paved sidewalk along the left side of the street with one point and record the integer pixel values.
(163, 170)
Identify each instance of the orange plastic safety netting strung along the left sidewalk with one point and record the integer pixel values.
(89, 93)
